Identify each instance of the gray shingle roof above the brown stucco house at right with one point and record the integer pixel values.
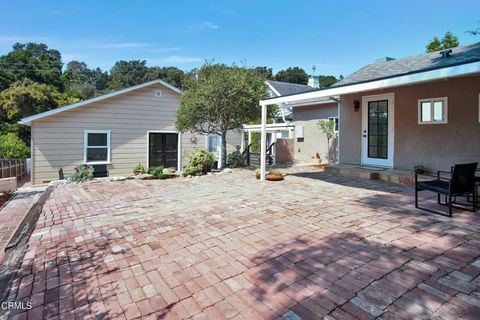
(423, 62)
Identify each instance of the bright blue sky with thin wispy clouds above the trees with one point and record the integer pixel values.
(337, 37)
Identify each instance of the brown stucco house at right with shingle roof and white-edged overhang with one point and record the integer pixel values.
(420, 110)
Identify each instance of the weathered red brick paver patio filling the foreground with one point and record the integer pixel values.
(228, 246)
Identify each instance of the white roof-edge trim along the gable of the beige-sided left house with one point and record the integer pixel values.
(27, 121)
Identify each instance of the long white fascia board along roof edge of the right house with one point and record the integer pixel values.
(455, 71)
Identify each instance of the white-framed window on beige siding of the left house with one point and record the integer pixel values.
(96, 146)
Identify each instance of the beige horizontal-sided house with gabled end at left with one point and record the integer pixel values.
(119, 129)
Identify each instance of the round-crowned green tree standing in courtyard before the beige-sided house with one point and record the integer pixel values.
(221, 98)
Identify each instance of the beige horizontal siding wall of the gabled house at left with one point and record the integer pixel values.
(57, 140)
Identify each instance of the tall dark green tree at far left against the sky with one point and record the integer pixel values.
(32, 61)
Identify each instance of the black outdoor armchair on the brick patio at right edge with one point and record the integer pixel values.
(461, 182)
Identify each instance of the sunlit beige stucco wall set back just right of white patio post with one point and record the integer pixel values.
(314, 139)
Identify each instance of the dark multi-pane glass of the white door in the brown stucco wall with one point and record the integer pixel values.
(378, 129)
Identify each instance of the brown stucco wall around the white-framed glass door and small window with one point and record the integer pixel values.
(436, 146)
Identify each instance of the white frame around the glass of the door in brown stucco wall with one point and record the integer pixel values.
(389, 162)
